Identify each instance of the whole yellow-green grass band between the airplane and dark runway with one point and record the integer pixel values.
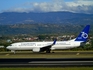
(48, 55)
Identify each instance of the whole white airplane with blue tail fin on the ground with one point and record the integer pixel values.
(51, 45)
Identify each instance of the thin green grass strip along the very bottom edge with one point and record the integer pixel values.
(51, 68)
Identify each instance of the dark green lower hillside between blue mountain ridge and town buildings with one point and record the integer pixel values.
(35, 29)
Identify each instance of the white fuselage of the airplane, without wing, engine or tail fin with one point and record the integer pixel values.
(32, 45)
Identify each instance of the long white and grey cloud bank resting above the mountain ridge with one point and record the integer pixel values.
(77, 6)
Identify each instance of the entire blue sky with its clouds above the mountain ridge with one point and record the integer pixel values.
(77, 6)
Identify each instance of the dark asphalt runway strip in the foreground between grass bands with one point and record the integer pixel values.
(46, 62)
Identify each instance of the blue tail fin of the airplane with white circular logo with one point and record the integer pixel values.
(83, 36)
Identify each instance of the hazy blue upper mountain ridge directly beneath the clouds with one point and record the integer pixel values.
(47, 17)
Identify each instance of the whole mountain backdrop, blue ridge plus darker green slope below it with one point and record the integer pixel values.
(14, 23)
